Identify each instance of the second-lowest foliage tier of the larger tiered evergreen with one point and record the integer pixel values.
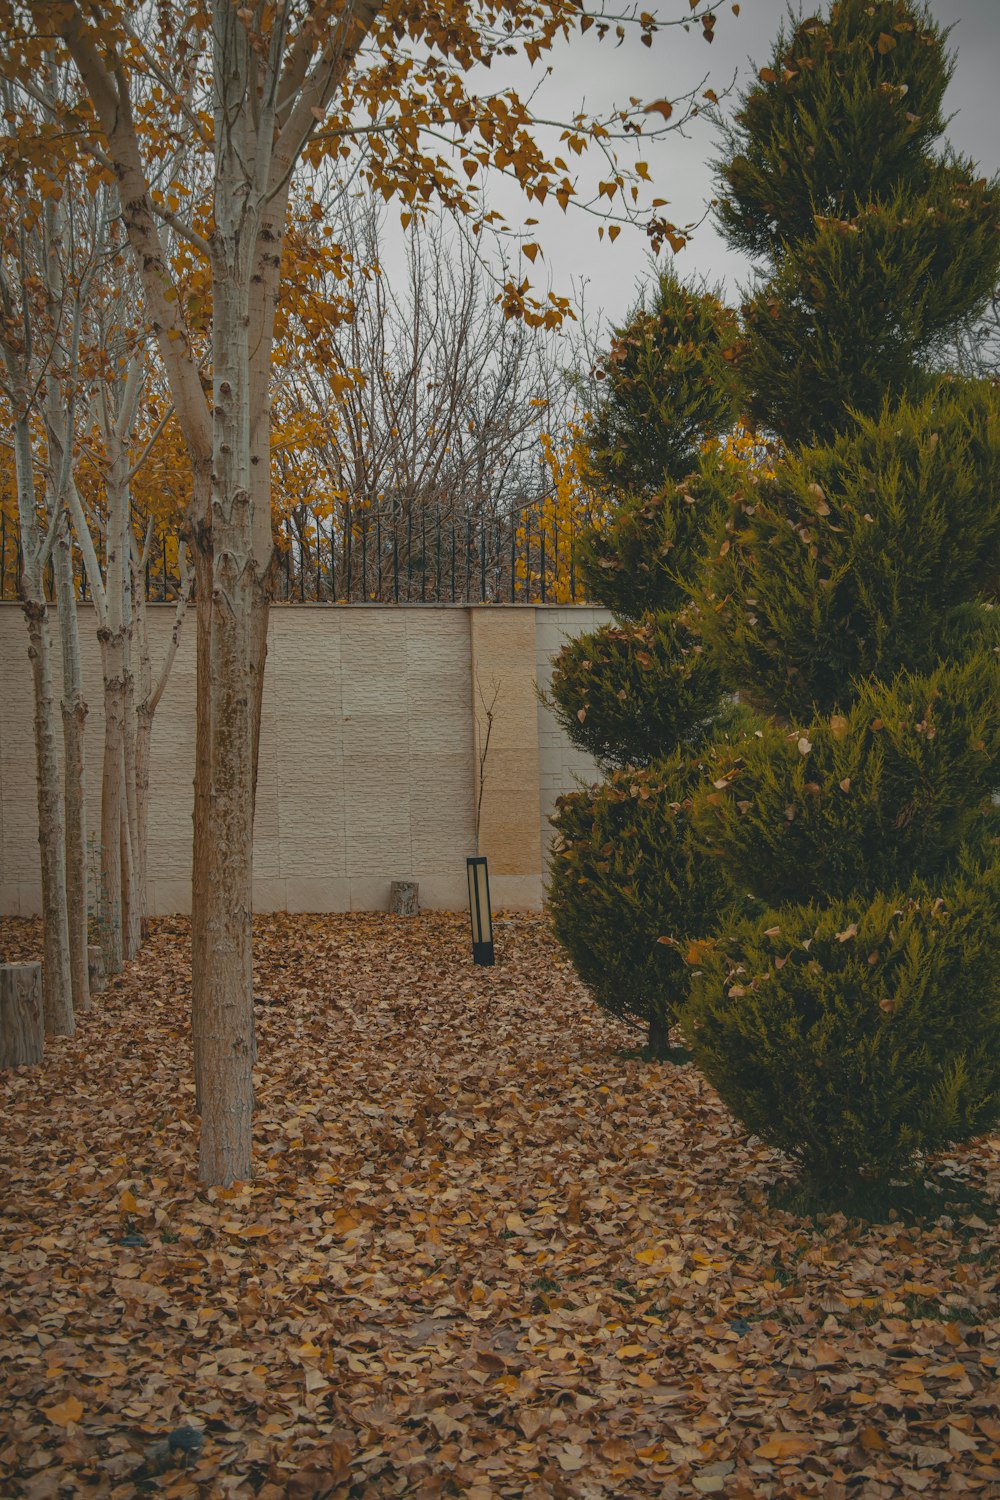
(900, 784)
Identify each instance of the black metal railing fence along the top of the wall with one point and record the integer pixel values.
(362, 553)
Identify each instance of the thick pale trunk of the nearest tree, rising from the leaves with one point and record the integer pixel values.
(224, 833)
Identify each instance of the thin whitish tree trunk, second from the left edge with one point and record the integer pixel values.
(74, 709)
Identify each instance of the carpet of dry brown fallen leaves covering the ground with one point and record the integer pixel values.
(484, 1255)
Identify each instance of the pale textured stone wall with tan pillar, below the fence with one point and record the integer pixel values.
(374, 758)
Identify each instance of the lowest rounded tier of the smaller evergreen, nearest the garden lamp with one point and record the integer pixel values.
(629, 889)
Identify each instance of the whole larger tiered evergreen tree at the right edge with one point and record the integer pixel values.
(857, 1024)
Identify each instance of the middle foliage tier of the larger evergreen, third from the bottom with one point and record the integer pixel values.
(852, 560)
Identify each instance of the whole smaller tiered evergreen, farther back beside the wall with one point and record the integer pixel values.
(627, 887)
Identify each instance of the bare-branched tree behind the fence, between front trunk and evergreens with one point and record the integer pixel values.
(424, 395)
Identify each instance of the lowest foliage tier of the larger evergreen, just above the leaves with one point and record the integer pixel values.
(854, 1037)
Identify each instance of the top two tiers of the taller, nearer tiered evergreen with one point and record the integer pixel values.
(873, 245)
